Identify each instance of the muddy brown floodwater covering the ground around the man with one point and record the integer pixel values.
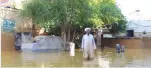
(104, 59)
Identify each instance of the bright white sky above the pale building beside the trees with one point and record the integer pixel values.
(128, 8)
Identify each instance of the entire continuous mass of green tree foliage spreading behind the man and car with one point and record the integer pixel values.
(68, 18)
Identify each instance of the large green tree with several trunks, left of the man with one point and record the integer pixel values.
(60, 15)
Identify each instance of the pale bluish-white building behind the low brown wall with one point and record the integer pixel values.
(142, 28)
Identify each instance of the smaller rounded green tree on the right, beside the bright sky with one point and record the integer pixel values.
(112, 17)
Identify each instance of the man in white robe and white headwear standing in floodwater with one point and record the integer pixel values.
(88, 45)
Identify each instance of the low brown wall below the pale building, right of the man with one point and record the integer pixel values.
(127, 42)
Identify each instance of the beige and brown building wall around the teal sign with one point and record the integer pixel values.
(22, 25)
